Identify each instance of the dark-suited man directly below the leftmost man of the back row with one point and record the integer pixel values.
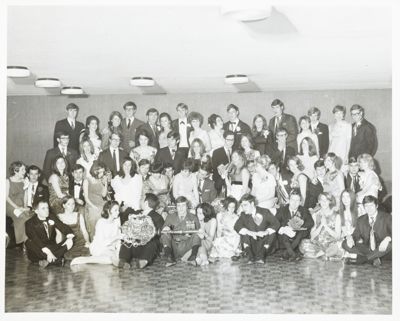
(62, 149)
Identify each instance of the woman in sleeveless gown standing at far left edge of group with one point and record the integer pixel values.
(15, 208)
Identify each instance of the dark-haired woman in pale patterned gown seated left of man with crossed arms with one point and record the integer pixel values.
(226, 243)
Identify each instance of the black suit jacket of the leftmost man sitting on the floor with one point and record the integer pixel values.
(36, 231)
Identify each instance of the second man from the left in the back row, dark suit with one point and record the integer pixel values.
(129, 126)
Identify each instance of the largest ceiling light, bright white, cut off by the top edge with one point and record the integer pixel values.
(246, 11)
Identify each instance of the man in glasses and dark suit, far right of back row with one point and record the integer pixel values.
(363, 137)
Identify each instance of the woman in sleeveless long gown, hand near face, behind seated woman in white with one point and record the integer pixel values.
(95, 192)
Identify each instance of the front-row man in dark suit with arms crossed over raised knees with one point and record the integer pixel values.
(257, 228)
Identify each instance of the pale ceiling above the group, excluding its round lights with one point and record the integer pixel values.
(189, 49)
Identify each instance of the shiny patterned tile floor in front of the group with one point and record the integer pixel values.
(308, 286)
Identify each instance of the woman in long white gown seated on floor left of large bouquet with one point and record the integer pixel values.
(106, 242)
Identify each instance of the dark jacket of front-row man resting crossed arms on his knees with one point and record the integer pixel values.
(246, 221)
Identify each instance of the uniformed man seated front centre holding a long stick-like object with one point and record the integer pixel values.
(177, 237)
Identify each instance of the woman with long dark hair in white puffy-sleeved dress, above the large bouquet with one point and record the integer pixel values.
(128, 185)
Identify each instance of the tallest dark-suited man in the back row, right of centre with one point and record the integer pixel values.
(282, 120)
